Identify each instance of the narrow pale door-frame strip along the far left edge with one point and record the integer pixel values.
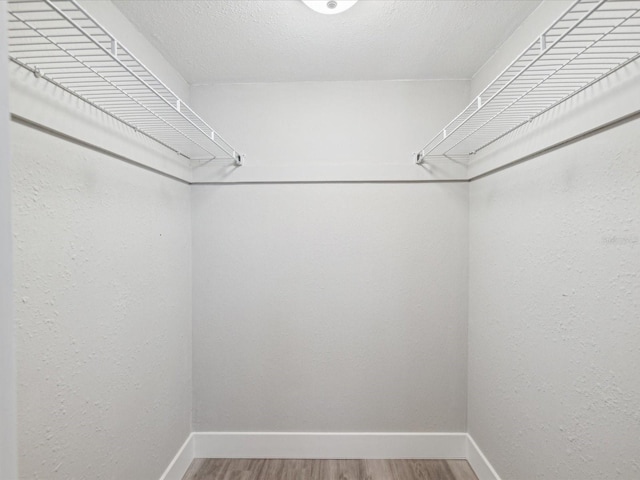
(7, 362)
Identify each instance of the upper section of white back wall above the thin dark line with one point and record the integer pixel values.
(318, 131)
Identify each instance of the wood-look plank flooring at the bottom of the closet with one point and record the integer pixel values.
(262, 469)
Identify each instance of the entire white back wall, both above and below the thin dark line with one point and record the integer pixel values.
(329, 307)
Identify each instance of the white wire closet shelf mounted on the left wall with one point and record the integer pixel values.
(60, 42)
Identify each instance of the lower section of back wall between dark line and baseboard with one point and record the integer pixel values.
(330, 307)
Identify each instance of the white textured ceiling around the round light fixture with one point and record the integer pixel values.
(284, 40)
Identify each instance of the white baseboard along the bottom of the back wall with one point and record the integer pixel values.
(329, 445)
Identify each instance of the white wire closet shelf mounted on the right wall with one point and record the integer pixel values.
(590, 41)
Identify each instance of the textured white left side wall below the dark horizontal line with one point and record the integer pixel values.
(103, 300)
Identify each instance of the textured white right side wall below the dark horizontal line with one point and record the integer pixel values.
(554, 338)
